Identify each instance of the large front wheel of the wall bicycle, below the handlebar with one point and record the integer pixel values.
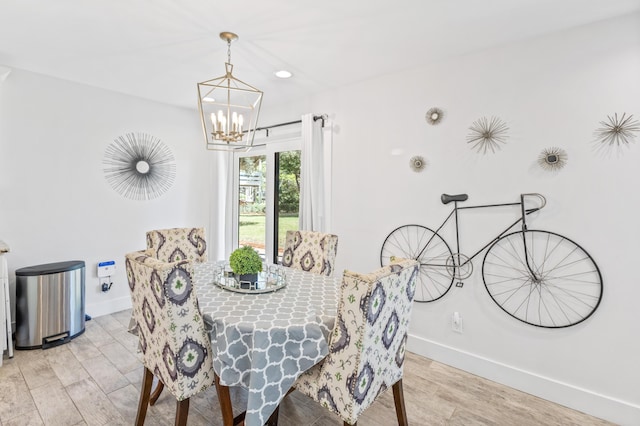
(564, 289)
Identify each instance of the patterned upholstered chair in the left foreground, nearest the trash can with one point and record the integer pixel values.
(174, 342)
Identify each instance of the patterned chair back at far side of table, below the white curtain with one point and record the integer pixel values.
(310, 251)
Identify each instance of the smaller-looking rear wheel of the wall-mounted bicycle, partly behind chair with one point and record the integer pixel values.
(424, 245)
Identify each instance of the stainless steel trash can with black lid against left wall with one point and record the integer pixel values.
(49, 304)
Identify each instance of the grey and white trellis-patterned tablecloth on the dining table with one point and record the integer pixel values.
(263, 342)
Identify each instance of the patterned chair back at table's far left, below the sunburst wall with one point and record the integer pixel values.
(172, 245)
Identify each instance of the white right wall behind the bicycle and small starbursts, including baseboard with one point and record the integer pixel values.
(552, 91)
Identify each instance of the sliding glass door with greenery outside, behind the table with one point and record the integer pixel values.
(267, 196)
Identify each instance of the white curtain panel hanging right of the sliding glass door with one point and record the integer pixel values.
(315, 161)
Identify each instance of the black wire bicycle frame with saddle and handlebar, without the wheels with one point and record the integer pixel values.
(524, 212)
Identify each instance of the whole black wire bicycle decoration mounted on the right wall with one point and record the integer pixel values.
(538, 277)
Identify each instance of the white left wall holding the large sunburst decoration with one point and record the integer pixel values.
(55, 204)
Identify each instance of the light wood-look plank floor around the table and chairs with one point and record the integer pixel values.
(95, 380)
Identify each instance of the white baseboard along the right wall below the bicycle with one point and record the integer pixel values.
(592, 403)
